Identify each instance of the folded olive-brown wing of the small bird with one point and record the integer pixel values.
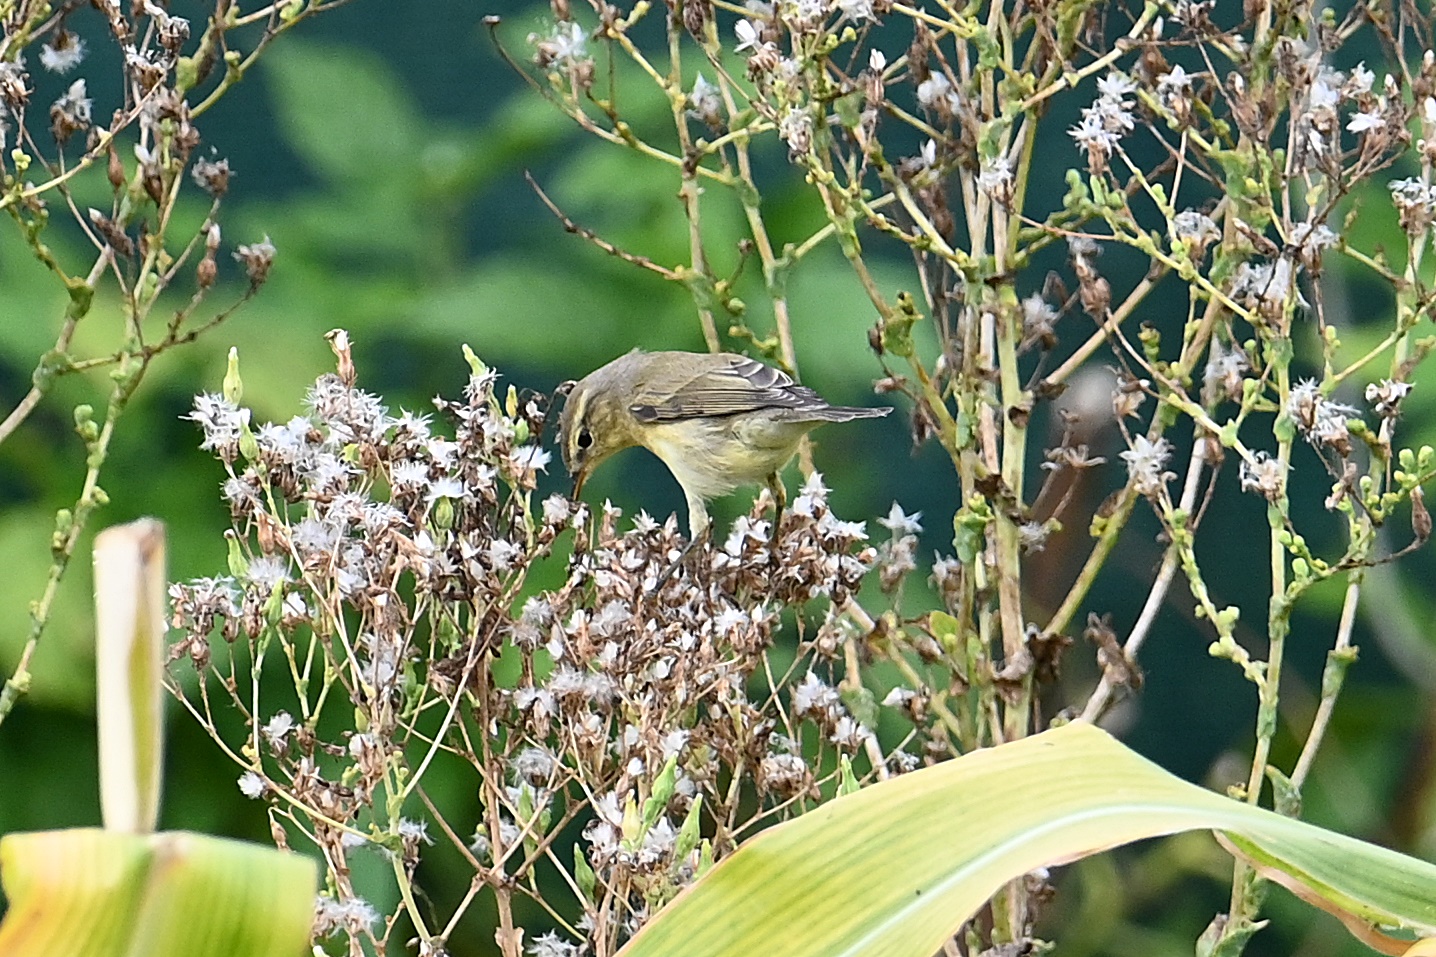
(723, 389)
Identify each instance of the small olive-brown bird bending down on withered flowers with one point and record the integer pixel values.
(717, 420)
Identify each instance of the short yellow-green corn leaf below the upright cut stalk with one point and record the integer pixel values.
(88, 893)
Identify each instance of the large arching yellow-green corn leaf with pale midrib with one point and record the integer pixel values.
(897, 869)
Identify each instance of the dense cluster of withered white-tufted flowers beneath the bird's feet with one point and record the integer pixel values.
(386, 613)
